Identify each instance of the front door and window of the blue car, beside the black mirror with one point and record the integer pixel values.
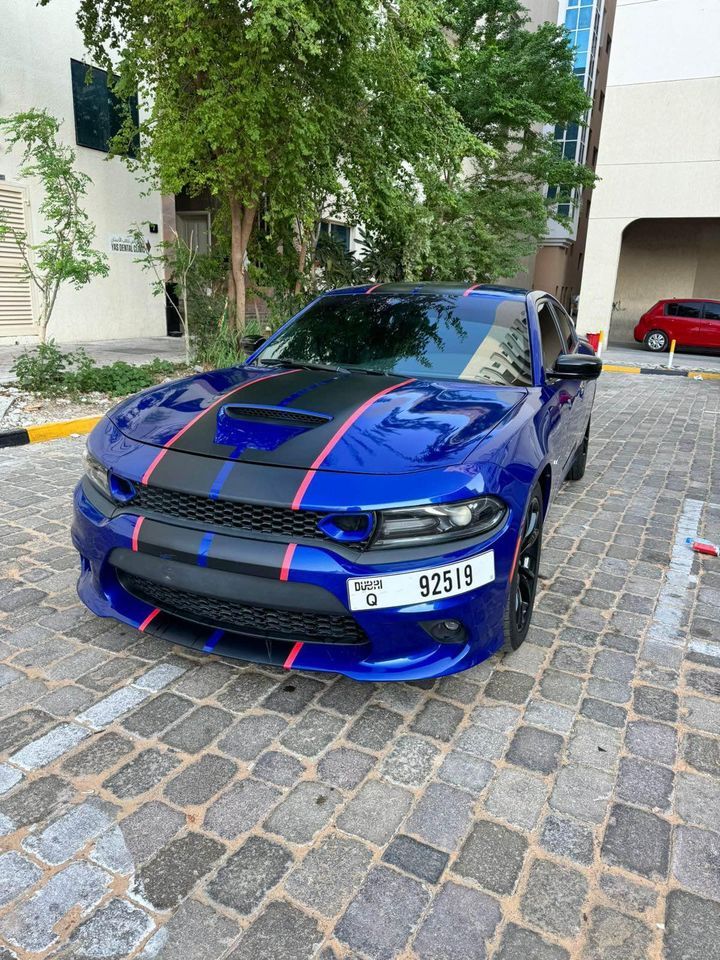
(558, 425)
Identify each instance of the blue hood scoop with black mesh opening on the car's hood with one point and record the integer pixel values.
(262, 427)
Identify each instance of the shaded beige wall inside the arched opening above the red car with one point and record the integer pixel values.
(660, 259)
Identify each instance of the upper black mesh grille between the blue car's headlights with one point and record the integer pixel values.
(282, 521)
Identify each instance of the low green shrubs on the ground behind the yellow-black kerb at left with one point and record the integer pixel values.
(49, 371)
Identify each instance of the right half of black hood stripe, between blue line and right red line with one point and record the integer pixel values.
(340, 399)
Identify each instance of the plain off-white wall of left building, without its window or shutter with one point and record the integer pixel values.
(36, 44)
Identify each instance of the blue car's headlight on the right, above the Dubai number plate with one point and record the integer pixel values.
(432, 524)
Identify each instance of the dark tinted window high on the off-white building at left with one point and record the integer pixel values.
(99, 113)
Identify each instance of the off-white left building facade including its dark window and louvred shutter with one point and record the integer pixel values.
(44, 66)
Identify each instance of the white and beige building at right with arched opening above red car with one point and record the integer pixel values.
(654, 228)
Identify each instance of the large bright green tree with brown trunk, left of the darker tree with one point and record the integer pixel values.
(273, 106)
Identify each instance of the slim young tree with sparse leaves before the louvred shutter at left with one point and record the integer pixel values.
(67, 254)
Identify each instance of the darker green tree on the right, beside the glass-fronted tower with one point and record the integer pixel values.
(508, 83)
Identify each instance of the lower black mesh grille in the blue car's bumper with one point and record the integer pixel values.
(243, 618)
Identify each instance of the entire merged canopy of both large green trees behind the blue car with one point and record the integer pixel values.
(422, 120)
